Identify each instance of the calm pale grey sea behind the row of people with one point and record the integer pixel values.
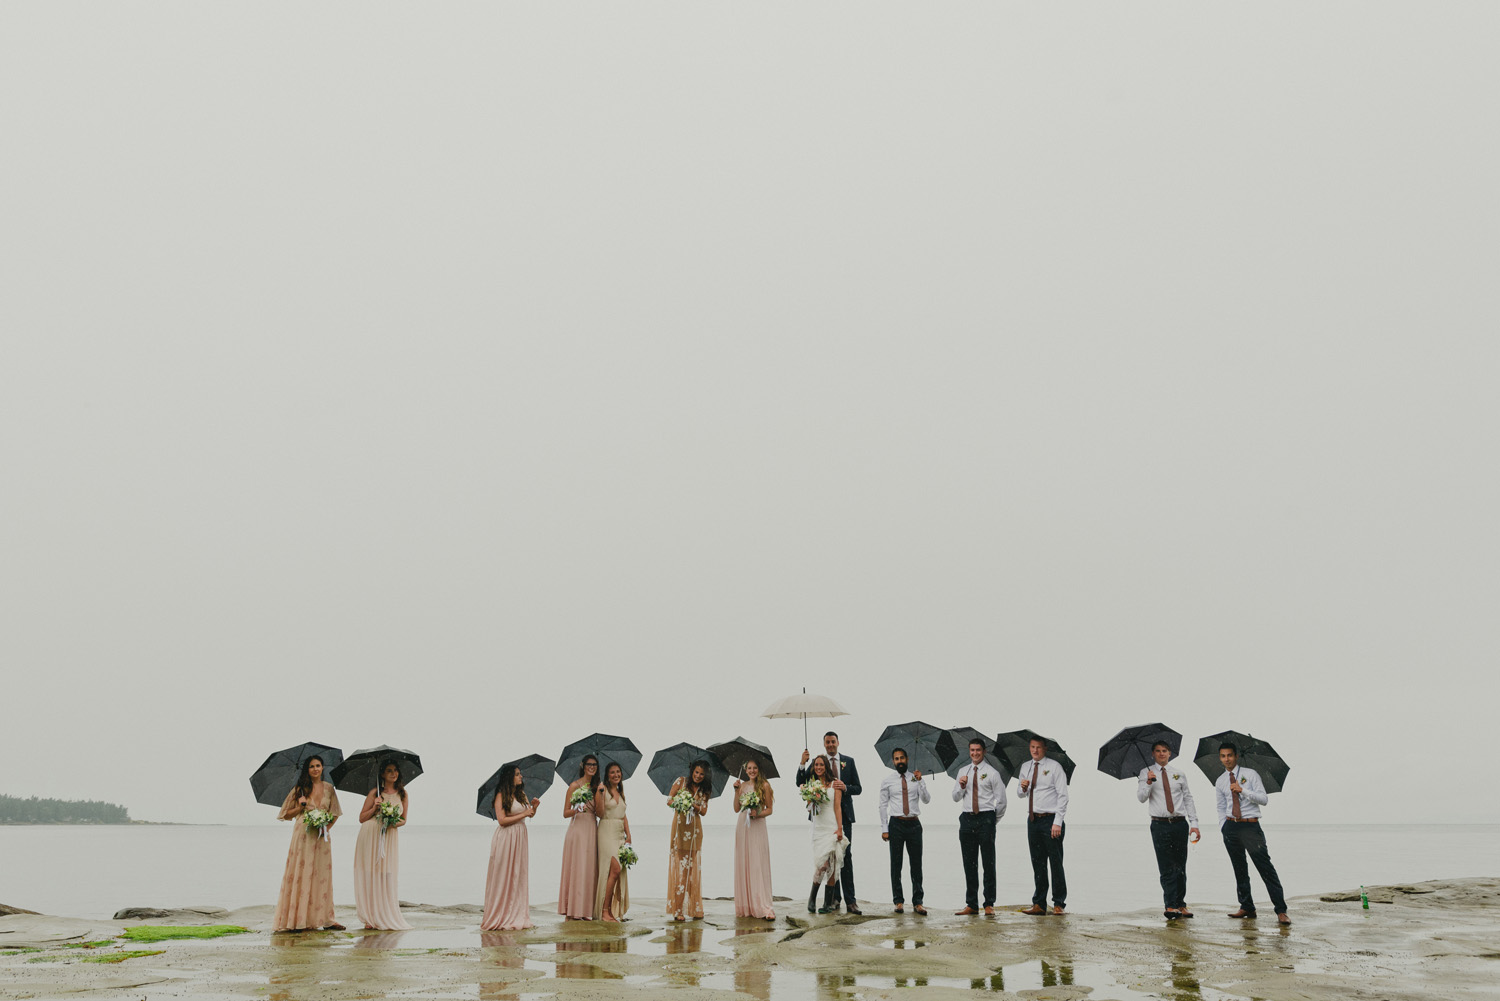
(95, 871)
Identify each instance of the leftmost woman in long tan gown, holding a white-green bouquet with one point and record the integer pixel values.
(307, 895)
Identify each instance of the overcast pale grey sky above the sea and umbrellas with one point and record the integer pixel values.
(473, 377)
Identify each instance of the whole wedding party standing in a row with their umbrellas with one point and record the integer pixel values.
(599, 852)
